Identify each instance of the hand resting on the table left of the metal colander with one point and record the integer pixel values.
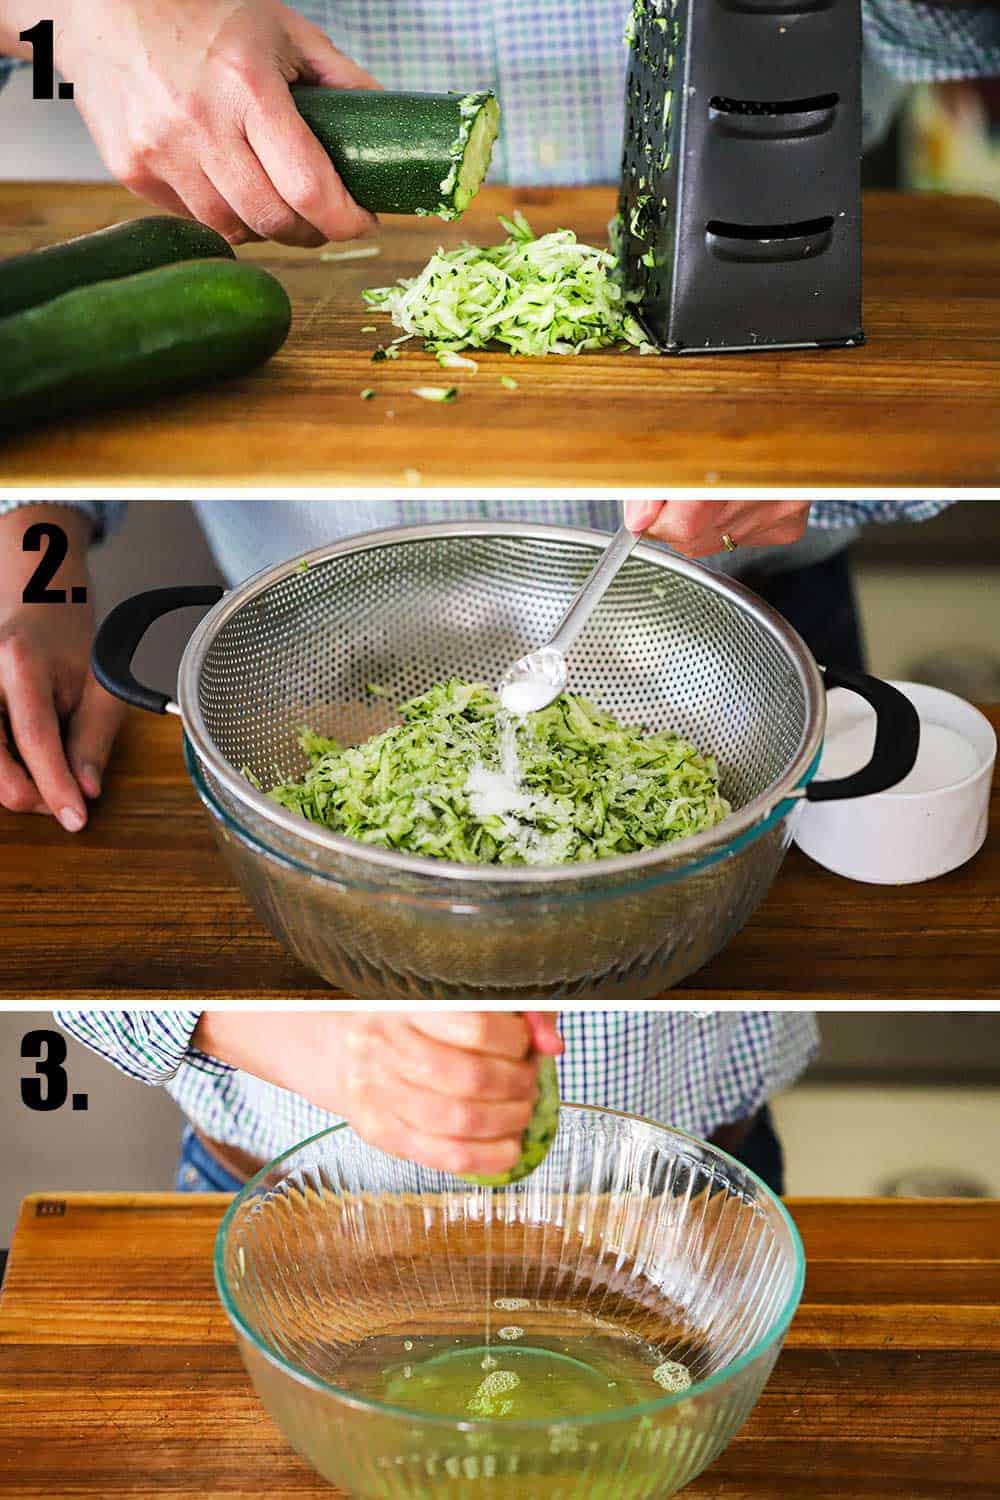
(58, 725)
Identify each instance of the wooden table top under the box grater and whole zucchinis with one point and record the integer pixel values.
(917, 407)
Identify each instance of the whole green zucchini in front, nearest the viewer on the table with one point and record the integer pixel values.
(139, 338)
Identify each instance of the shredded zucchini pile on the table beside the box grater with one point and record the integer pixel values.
(534, 295)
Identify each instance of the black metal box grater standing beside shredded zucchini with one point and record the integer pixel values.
(741, 179)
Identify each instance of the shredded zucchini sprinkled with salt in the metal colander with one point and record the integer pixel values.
(587, 787)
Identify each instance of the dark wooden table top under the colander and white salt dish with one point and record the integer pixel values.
(142, 905)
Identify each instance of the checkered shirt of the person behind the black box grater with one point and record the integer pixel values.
(558, 67)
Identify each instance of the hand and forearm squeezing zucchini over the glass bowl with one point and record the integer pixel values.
(452, 1091)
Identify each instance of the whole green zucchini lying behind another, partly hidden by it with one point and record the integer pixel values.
(125, 250)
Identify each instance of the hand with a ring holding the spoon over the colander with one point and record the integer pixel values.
(696, 527)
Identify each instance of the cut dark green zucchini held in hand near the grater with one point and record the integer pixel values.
(406, 152)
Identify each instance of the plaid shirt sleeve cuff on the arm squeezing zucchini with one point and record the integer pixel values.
(151, 1046)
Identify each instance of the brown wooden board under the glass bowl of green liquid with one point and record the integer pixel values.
(119, 1375)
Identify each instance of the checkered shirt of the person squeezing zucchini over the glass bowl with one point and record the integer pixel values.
(695, 1072)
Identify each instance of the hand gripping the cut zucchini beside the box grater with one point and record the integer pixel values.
(190, 106)
